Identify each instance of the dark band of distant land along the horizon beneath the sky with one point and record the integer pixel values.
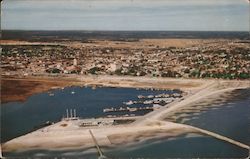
(85, 36)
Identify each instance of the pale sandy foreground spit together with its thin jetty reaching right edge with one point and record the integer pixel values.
(108, 137)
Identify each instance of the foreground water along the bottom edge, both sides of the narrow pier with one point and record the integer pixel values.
(179, 147)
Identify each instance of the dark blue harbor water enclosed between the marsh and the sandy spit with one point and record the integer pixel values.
(19, 118)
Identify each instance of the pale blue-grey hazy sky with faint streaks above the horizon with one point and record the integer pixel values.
(163, 15)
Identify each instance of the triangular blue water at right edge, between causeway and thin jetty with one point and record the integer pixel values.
(231, 118)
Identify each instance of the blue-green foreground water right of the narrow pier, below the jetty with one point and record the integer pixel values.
(182, 147)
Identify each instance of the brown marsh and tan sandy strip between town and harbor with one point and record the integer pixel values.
(30, 85)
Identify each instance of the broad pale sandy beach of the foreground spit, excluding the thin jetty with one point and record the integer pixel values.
(56, 137)
